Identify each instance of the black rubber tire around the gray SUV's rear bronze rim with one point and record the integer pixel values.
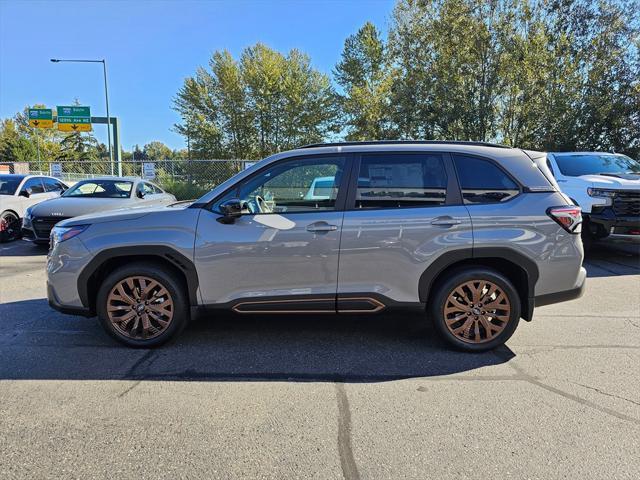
(440, 298)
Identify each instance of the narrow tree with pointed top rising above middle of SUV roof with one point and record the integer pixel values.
(366, 79)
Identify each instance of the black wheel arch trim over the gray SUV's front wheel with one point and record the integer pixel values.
(163, 252)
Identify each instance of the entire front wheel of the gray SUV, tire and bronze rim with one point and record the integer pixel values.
(142, 305)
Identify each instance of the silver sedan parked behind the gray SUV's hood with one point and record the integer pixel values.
(96, 195)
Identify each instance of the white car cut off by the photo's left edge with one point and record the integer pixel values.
(17, 193)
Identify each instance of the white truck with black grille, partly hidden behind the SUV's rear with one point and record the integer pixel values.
(607, 188)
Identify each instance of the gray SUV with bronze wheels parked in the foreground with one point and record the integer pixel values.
(474, 235)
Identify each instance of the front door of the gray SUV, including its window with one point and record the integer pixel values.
(281, 254)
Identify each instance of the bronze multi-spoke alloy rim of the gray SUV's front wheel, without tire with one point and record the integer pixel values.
(140, 308)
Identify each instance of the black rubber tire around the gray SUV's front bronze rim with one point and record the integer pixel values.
(167, 279)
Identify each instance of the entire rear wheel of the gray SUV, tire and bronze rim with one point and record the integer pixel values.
(475, 309)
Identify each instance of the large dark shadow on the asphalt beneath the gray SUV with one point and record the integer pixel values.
(37, 343)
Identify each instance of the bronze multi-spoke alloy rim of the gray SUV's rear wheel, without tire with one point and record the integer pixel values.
(477, 311)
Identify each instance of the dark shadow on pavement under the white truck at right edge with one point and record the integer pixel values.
(608, 258)
